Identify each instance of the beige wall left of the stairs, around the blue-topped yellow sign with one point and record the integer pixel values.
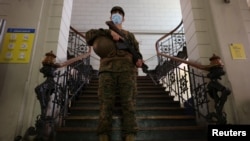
(19, 105)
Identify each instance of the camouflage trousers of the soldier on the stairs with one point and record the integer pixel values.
(111, 86)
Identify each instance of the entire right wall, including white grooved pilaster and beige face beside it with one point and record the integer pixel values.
(211, 27)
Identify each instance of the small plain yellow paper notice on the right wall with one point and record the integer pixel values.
(237, 51)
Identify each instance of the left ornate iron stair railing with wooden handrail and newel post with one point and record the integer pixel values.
(63, 83)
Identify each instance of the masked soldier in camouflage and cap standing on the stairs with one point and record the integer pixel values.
(117, 75)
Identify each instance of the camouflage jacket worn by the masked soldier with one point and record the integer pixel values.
(119, 60)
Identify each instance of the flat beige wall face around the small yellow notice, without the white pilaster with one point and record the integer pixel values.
(232, 26)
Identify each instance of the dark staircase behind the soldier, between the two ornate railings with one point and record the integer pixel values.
(159, 117)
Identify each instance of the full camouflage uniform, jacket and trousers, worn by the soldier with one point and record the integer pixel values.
(117, 71)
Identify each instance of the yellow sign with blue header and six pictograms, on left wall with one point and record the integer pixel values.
(17, 45)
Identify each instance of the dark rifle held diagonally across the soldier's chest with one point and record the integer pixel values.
(128, 45)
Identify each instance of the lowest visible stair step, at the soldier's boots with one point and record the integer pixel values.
(190, 133)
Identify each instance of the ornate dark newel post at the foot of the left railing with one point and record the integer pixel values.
(43, 92)
